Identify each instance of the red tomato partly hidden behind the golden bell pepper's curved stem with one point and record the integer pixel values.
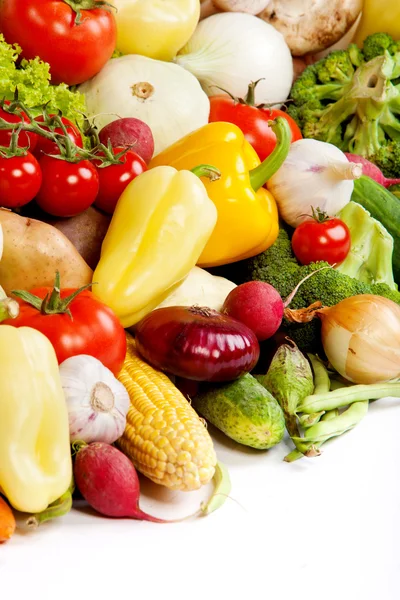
(252, 121)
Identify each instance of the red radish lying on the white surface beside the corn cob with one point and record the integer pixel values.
(108, 481)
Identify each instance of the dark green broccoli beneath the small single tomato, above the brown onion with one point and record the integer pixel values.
(279, 267)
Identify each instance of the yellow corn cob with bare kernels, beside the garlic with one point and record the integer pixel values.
(164, 437)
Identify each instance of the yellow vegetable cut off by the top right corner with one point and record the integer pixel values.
(378, 16)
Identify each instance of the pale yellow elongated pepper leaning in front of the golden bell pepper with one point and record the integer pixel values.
(160, 226)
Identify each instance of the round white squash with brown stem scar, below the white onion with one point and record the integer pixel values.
(165, 96)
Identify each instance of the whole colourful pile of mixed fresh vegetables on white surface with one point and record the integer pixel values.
(187, 236)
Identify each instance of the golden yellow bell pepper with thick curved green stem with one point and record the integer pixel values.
(247, 213)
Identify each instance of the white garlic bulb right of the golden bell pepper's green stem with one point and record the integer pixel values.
(314, 175)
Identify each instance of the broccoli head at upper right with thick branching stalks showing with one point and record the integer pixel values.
(351, 98)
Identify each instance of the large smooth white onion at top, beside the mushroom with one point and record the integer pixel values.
(230, 50)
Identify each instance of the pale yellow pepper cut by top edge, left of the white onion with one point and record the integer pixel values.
(155, 28)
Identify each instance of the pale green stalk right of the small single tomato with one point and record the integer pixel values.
(370, 256)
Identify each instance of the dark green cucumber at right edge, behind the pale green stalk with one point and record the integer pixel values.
(383, 206)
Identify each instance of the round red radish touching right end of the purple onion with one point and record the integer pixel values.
(258, 305)
